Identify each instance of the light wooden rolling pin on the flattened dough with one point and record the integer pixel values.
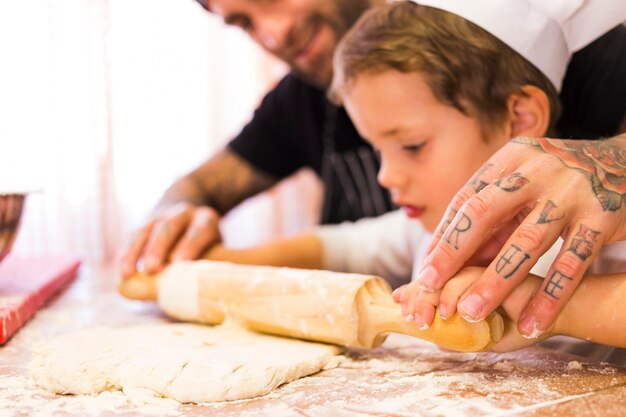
(346, 309)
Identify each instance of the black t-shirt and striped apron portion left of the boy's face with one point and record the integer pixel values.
(295, 127)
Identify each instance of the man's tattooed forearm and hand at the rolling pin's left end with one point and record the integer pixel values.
(185, 225)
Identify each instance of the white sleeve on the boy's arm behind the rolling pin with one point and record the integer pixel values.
(383, 246)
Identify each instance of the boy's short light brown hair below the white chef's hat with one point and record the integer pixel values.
(465, 66)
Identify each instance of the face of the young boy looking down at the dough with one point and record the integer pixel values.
(429, 150)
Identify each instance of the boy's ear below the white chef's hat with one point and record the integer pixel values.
(529, 112)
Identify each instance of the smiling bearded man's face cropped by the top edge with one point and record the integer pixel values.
(303, 33)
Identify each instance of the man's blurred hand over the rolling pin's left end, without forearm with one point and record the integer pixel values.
(182, 231)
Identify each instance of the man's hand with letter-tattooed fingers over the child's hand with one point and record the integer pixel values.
(517, 205)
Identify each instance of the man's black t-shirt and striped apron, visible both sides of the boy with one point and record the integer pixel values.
(297, 127)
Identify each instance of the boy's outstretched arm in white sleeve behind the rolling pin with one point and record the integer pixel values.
(382, 246)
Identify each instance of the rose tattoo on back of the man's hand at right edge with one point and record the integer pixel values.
(602, 161)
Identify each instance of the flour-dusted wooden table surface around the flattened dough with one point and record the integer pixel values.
(404, 377)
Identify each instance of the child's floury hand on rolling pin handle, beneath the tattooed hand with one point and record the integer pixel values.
(419, 305)
